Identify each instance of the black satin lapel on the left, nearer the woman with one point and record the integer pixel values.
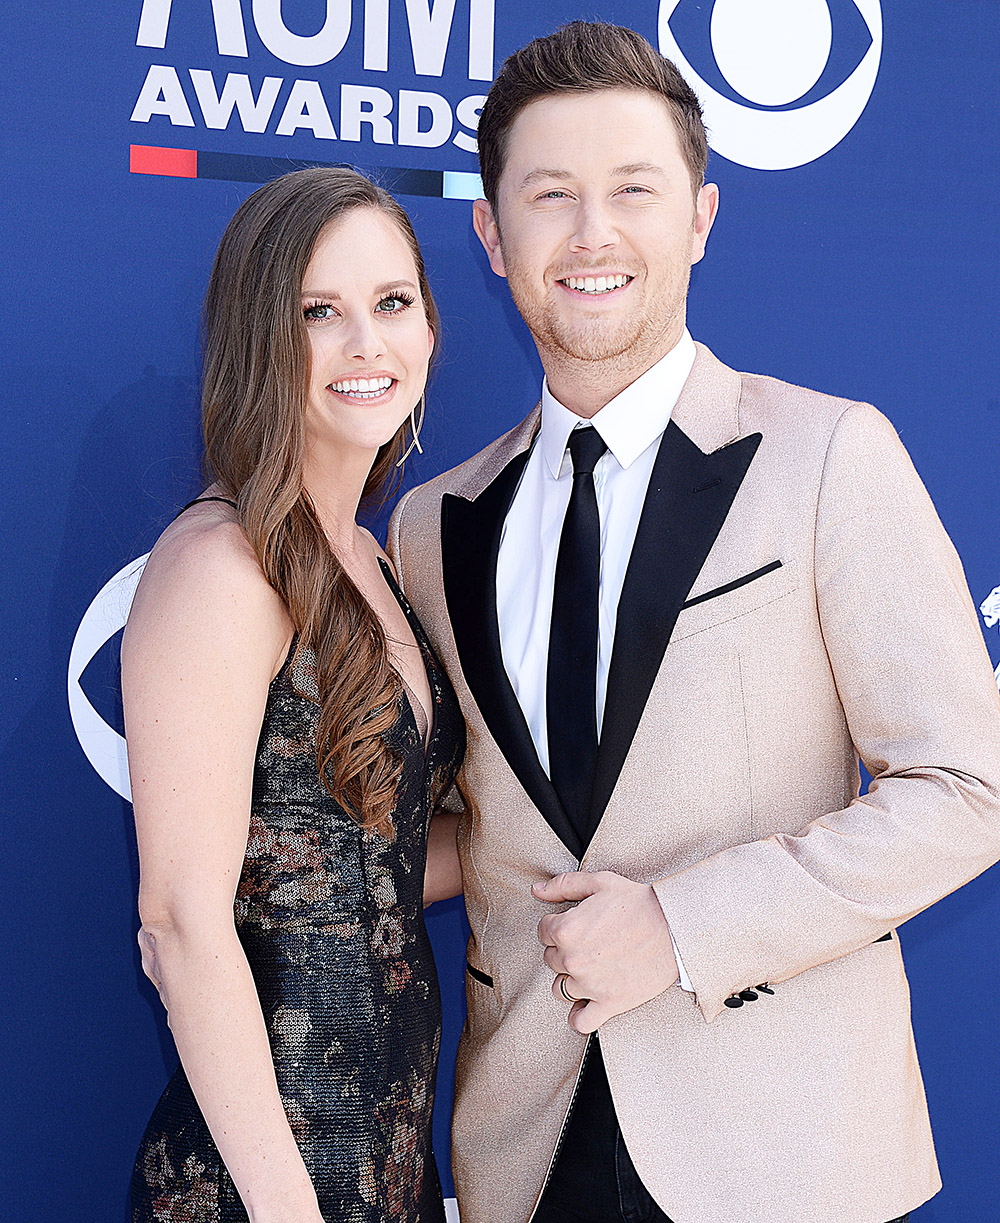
(470, 545)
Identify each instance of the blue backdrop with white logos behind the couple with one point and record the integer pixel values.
(855, 253)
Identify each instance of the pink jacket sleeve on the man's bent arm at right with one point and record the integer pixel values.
(924, 711)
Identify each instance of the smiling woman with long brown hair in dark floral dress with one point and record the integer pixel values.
(289, 736)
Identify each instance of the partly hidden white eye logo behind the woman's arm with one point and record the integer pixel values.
(103, 747)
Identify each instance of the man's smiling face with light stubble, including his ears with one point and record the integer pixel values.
(598, 226)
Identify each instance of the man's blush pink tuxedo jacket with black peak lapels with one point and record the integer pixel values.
(793, 604)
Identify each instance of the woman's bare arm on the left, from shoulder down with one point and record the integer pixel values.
(205, 638)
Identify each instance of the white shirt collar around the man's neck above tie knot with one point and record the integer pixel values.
(631, 421)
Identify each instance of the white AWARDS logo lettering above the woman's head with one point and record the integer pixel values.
(325, 106)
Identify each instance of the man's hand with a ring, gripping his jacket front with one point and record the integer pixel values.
(614, 948)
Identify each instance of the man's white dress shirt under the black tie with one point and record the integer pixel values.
(631, 425)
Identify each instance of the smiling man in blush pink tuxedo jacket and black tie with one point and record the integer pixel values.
(671, 604)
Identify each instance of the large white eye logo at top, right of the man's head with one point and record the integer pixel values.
(782, 81)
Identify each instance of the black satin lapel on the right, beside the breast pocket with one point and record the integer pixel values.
(689, 498)
